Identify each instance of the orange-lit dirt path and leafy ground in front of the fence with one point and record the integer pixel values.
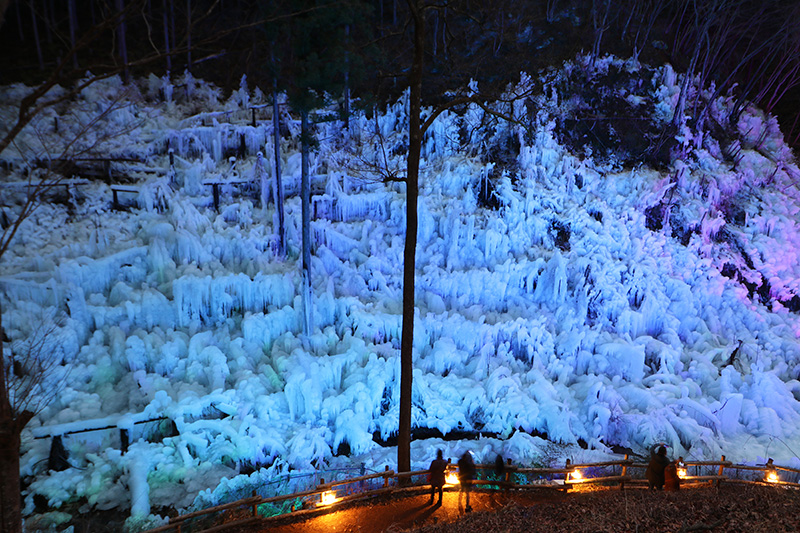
(727, 509)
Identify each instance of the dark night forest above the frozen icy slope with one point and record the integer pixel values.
(747, 48)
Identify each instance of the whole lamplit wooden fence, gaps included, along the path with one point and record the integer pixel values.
(327, 496)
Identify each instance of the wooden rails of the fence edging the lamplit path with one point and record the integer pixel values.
(505, 483)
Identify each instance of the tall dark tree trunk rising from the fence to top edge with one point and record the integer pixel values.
(410, 250)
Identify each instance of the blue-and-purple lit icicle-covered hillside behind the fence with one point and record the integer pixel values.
(560, 308)
